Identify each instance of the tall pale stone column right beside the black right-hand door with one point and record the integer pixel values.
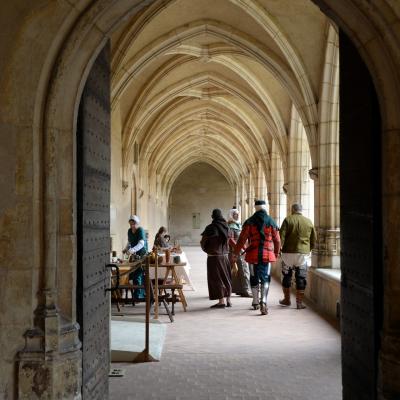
(326, 176)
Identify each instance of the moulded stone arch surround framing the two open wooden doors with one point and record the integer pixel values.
(365, 25)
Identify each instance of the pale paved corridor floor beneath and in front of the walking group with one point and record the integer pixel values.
(235, 353)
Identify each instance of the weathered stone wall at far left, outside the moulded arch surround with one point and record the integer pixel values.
(24, 36)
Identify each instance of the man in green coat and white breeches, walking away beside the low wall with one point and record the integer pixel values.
(298, 239)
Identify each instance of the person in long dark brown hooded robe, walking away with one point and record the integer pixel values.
(214, 242)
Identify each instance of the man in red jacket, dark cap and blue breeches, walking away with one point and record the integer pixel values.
(261, 233)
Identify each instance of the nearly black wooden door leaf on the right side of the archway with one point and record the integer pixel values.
(361, 225)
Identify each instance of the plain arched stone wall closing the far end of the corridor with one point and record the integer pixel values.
(199, 189)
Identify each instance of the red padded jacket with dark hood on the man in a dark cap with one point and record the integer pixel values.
(261, 247)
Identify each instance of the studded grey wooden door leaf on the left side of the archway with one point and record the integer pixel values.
(93, 228)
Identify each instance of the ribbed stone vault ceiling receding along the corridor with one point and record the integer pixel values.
(214, 81)
